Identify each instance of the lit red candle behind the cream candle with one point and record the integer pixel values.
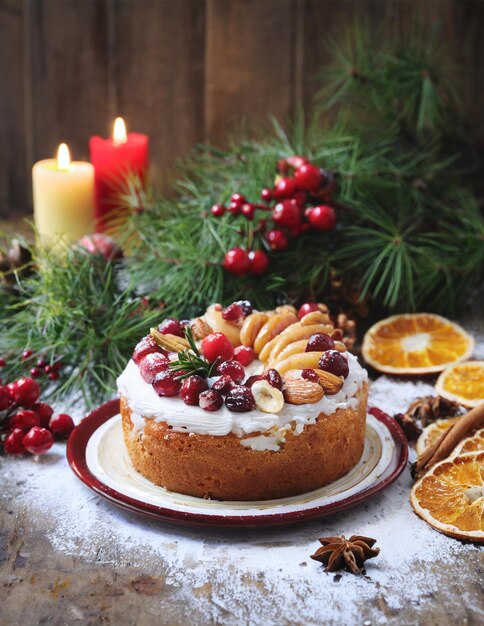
(121, 164)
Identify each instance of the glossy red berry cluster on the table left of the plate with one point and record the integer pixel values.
(27, 424)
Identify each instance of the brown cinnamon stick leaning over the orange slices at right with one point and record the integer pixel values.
(446, 443)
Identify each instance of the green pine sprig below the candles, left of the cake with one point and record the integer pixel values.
(76, 310)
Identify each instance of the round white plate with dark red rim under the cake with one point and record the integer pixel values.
(97, 455)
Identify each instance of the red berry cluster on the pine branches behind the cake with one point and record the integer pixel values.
(299, 201)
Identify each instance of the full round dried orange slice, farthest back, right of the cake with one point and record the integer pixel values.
(418, 343)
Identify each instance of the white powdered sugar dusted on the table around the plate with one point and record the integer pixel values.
(256, 576)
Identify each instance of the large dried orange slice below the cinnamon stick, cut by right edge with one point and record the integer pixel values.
(450, 497)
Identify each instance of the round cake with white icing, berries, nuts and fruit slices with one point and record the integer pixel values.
(244, 405)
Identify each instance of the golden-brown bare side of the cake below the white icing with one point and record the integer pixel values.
(220, 467)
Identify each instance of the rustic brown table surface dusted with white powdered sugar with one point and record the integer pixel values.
(69, 557)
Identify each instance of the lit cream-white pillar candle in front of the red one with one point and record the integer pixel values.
(63, 192)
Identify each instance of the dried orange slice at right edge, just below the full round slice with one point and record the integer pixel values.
(463, 383)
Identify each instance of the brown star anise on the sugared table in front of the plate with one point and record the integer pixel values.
(338, 553)
